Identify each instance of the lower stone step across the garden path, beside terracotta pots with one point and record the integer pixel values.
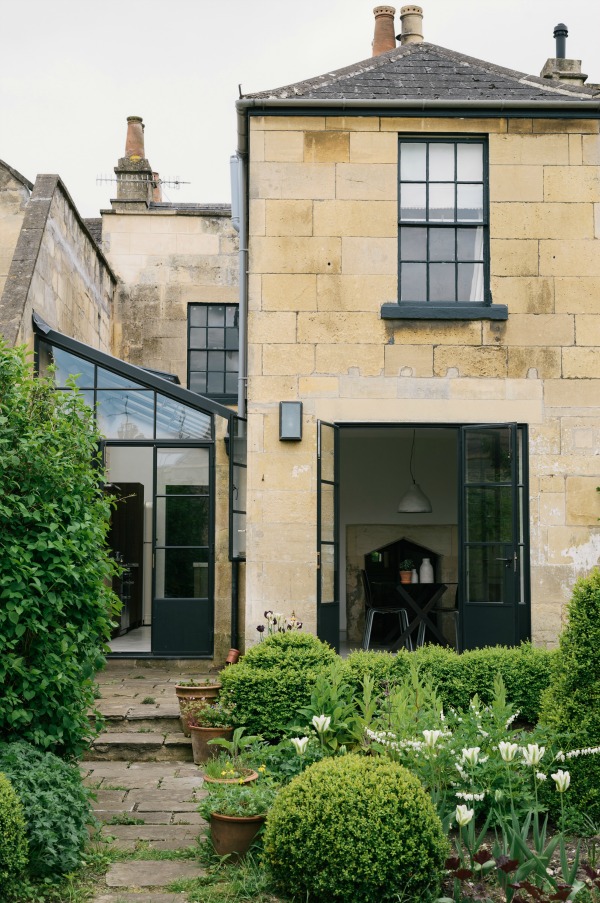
(141, 746)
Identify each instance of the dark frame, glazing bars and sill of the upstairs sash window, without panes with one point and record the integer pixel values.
(427, 309)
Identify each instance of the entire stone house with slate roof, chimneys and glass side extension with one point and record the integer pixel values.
(389, 348)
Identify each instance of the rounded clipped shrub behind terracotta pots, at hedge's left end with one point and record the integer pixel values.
(273, 680)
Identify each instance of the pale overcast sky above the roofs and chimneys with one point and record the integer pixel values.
(71, 71)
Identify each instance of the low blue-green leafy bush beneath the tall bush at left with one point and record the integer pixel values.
(55, 804)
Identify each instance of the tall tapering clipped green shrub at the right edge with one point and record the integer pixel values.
(571, 704)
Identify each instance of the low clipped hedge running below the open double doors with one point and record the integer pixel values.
(525, 670)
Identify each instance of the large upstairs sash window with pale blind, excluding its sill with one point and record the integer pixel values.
(443, 222)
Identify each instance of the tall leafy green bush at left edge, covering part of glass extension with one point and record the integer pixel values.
(55, 597)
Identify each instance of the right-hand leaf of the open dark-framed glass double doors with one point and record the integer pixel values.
(494, 598)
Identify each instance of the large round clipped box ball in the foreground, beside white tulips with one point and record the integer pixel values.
(355, 828)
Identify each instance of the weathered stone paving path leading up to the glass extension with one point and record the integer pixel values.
(159, 799)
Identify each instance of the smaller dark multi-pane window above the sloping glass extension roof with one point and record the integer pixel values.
(213, 350)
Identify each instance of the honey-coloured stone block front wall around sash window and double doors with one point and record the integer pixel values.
(323, 252)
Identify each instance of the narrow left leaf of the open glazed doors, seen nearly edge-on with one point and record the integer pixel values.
(328, 598)
